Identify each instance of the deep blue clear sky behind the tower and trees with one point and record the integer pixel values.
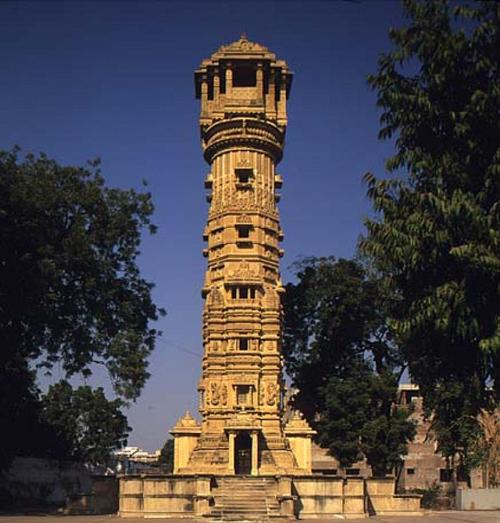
(115, 80)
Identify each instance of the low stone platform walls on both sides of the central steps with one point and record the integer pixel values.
(298, 496)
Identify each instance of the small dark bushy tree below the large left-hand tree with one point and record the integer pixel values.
(90, 425)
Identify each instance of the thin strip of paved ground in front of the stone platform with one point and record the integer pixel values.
(430, 517)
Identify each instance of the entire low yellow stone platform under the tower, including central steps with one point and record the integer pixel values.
(260, 498)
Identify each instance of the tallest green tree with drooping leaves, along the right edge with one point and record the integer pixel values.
(436, 233)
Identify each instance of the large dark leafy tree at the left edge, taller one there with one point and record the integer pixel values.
(71, 292)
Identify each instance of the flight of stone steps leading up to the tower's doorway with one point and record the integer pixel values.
(245, 498)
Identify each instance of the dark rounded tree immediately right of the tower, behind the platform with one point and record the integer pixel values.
(343, 362)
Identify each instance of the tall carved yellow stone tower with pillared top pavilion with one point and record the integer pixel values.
(243, 90)
